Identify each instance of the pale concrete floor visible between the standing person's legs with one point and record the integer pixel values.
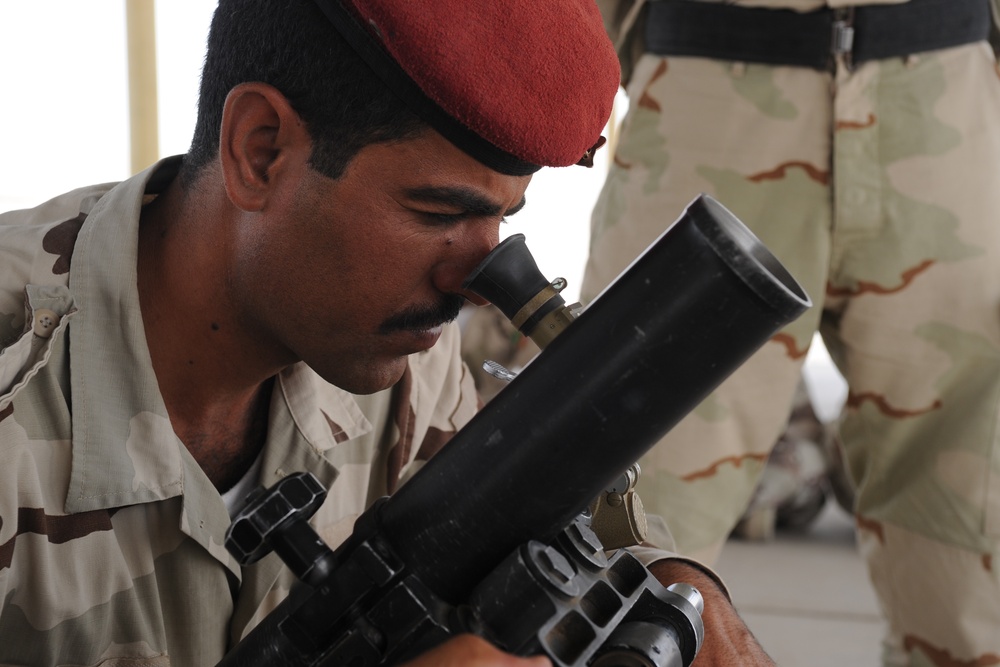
(806, 595)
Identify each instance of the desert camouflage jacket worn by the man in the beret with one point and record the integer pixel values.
(110, 534)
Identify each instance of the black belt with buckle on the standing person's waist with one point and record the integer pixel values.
(813, 39)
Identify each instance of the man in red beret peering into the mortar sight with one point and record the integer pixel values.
(269, 303)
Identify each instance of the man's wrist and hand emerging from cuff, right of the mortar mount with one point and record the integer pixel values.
(728, 640)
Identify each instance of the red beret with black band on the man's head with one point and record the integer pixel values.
(517, 84)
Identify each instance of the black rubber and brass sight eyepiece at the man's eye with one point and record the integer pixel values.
(510, 279)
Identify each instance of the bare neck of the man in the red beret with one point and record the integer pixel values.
(215, 379)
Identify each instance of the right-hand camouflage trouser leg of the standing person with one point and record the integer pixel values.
(913, 313)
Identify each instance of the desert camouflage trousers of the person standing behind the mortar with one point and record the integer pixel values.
(879, 189)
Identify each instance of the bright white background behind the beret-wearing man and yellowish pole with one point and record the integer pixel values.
(64, 115)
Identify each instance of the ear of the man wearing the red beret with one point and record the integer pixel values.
(261, 134)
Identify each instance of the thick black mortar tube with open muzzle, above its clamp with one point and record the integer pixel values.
(686, 314)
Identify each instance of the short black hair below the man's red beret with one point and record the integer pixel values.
(292, 46)
